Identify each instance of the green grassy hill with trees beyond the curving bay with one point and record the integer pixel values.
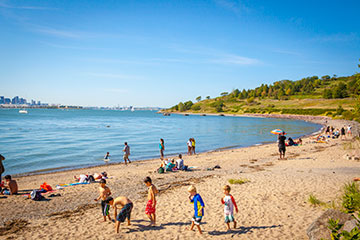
(331, 96)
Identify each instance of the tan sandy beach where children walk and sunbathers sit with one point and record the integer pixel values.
(272, 205)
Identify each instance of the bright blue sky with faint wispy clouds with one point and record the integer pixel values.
(158, 53)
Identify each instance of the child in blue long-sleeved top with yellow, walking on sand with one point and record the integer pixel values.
(198, 208)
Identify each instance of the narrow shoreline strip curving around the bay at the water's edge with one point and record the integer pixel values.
(225, 148)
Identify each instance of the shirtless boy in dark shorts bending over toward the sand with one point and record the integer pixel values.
(126, 207)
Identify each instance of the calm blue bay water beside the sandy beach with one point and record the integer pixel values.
(57, 139)
